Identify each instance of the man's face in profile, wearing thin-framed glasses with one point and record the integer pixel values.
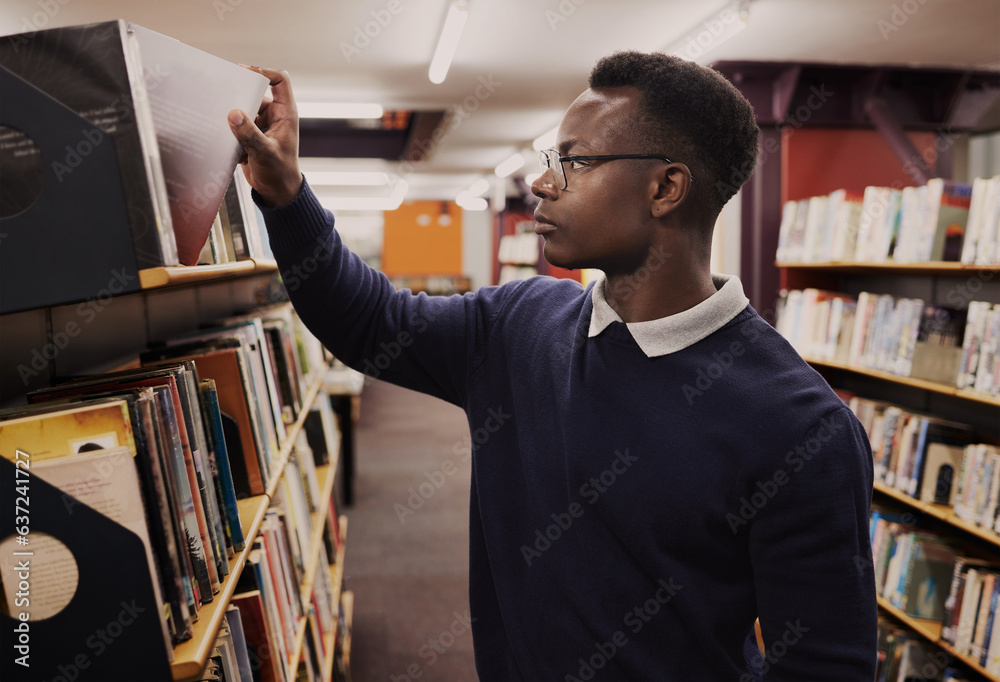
(602, 219)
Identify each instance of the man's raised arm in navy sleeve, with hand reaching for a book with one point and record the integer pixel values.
(421, 342)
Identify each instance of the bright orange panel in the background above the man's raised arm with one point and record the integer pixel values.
(423, 238)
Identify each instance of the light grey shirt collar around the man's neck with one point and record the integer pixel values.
(675, 332)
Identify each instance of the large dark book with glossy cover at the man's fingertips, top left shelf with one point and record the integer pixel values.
(162, 103)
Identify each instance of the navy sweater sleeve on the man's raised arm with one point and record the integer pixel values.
(417, 341)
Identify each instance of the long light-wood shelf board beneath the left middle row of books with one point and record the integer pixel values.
(190, 656)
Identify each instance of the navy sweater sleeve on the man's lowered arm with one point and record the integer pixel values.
(812, 560)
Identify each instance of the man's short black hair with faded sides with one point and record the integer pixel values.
(691, 114)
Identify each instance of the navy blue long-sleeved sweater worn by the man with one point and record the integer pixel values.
(630, 515)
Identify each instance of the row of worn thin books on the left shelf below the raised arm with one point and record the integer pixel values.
(168, 446)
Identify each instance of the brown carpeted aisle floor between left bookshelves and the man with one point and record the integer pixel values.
(409, 571)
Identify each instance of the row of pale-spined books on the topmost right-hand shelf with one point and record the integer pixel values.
(943, 220)
